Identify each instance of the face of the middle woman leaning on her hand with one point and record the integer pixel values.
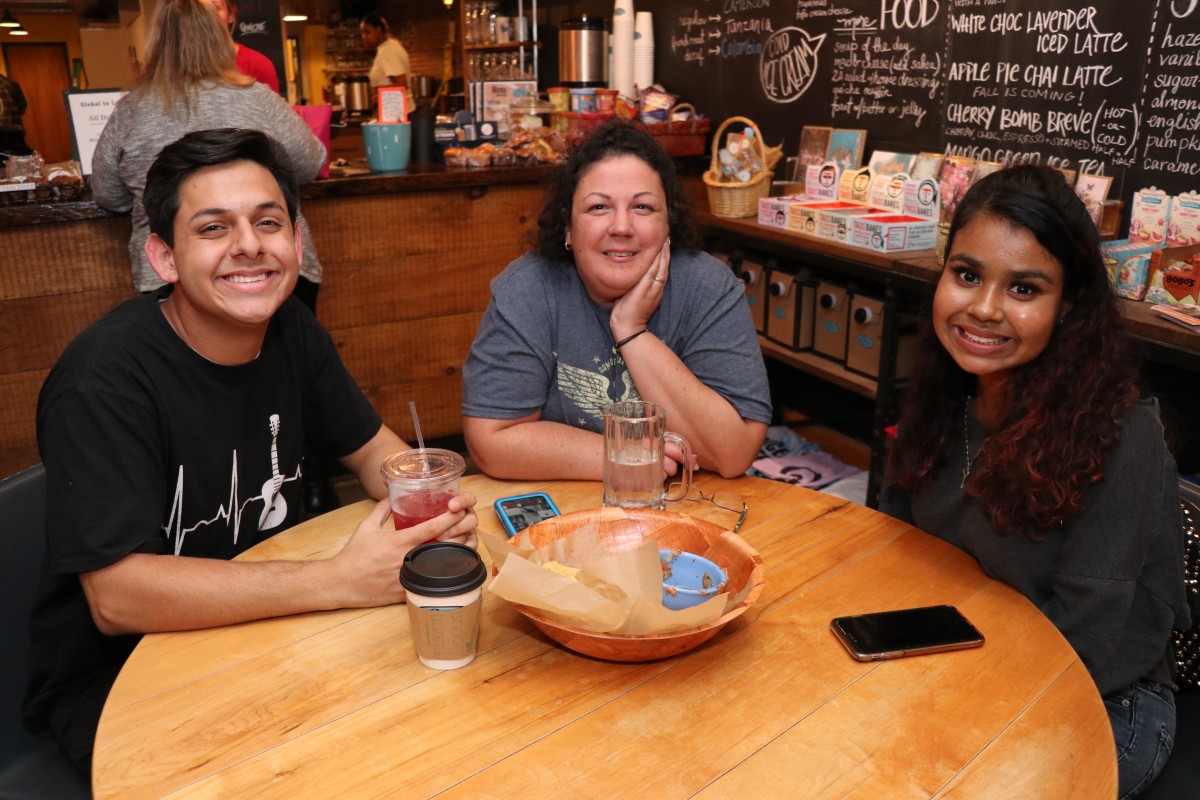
(619, 225)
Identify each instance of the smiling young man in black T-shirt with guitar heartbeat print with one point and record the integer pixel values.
(173, 404)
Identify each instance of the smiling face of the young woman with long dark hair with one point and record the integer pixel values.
(999, 299)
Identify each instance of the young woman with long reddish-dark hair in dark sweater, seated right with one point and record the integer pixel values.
(1025, 442)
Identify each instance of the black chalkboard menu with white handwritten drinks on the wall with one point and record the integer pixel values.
(1107, 88)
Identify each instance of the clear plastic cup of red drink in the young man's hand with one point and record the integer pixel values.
(421, 484)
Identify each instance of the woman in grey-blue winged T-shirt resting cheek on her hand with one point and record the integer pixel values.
(616, 304)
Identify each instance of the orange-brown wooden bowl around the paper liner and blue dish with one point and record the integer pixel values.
(625, 530)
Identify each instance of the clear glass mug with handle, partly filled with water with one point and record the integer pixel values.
(635, 437)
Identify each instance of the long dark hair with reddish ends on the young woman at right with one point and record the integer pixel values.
(1066, 406)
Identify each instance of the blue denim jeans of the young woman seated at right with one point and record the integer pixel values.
(1143, 719)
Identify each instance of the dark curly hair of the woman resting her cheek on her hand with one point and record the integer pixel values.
(614, 139)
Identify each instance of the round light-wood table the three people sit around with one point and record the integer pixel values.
(335, 705)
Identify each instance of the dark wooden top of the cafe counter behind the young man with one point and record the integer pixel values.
(418, 178)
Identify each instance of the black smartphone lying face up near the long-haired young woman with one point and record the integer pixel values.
(905, 633)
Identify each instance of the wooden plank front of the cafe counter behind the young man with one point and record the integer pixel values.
(407, 261)
